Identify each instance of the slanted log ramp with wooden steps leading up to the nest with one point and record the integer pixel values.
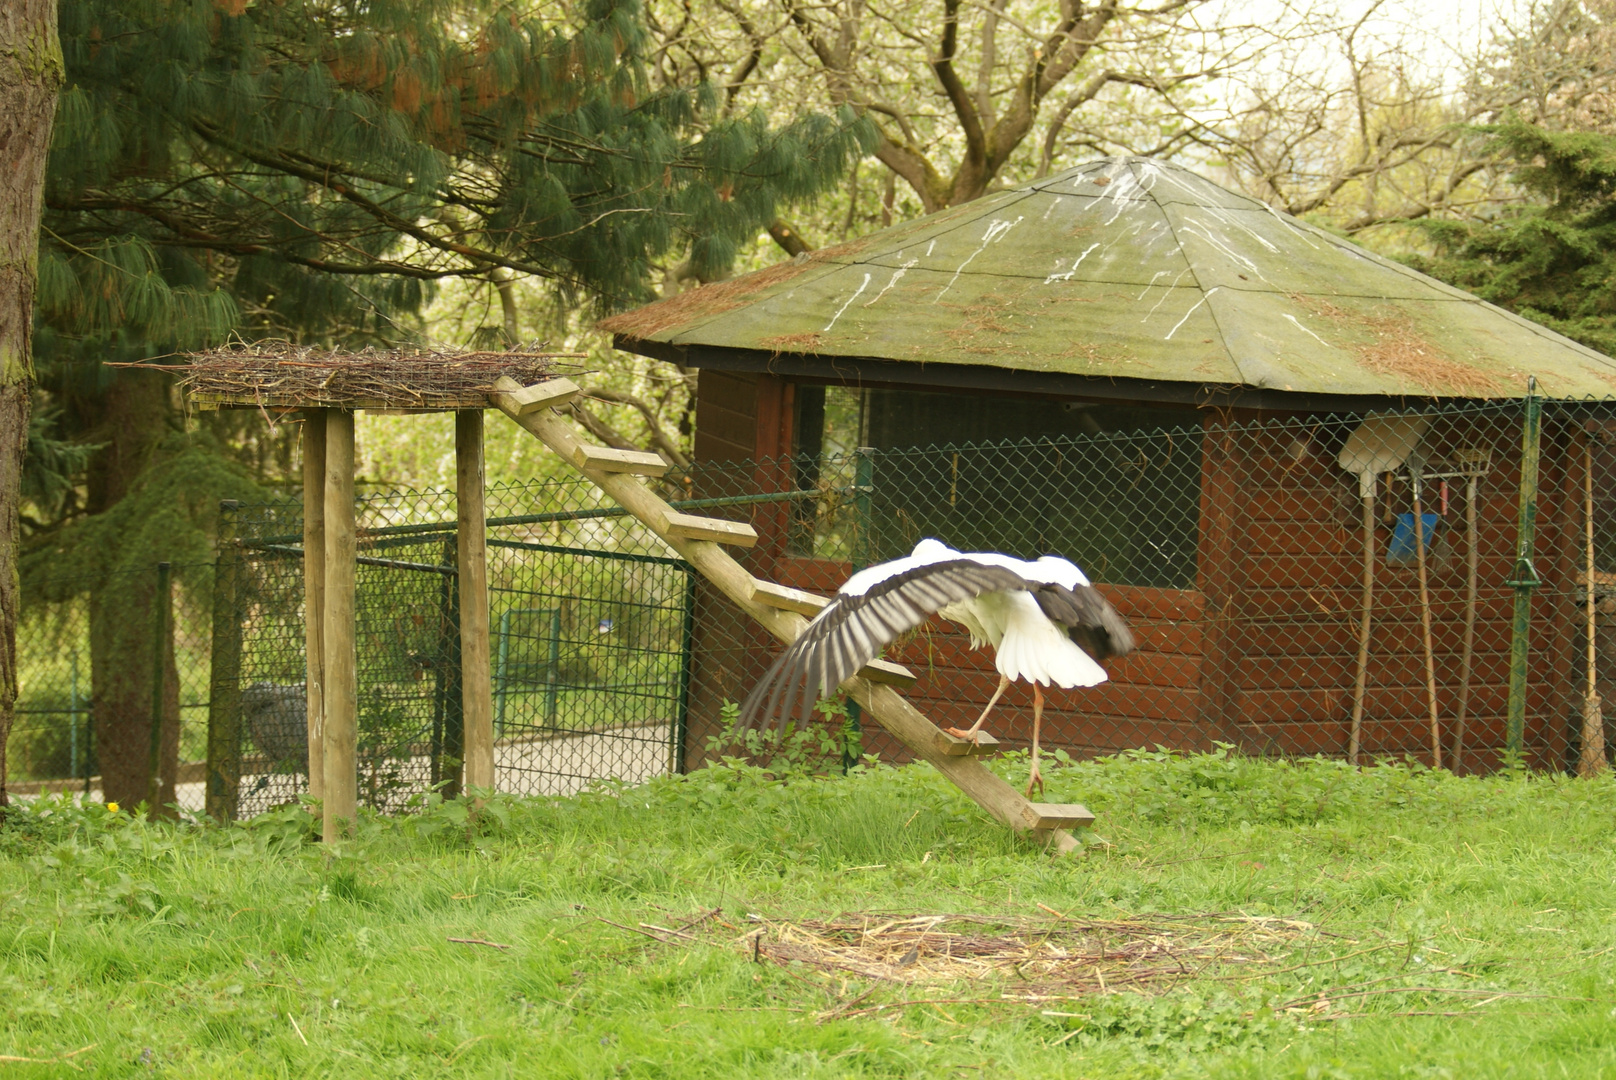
(781, 612)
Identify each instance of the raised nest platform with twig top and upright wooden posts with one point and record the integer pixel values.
(327, 390)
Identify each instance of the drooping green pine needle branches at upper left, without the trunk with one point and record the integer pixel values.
(419, 140)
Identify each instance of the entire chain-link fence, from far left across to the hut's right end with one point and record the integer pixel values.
(1235, 546)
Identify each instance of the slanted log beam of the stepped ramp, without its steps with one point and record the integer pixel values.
(894, 714)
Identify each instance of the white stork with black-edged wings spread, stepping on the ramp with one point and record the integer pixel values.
(1043, 618)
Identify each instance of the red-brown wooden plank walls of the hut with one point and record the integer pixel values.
(1261, 654)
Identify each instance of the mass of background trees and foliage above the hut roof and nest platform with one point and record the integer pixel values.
(468, 172)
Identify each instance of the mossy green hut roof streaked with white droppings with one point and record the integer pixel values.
(1130, 269)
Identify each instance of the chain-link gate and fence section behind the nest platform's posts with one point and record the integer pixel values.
(589, 620)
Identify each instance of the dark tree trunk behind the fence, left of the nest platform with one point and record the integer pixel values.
(133, 418)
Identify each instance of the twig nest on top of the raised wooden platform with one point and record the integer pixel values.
(287, 376)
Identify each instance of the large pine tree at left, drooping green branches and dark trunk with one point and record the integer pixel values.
(309, 171)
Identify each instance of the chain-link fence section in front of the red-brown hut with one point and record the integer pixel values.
(1237, 549)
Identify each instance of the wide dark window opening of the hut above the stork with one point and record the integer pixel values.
(1116, 489)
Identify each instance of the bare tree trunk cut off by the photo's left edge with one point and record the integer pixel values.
(30, 78)
